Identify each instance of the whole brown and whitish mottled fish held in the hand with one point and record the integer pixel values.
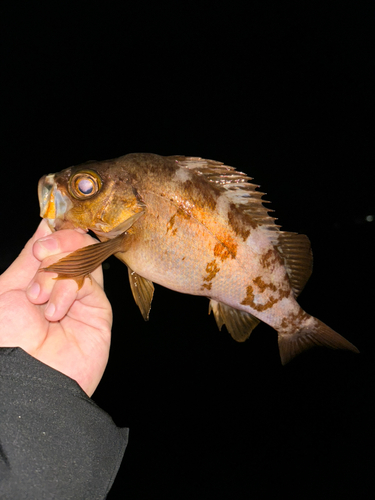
(195, 226)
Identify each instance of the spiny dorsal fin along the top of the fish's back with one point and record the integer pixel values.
(235, 185)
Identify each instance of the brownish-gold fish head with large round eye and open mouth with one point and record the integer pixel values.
(94, 195)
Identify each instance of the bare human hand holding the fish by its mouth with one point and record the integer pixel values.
(65, 328)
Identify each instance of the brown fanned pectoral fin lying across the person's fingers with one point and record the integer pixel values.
(79, 264)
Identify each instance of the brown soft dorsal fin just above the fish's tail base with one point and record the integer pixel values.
(296, 250)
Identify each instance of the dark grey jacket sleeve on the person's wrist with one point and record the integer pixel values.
(55, 442)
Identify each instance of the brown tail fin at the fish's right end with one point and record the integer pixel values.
(315, 333)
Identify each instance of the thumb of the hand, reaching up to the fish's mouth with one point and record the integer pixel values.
(21, 271)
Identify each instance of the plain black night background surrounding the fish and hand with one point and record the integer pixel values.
(282, 91)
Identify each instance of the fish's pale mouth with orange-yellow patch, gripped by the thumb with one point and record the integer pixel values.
(53, 203)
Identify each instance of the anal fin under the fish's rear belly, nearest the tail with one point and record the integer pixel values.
(239, 323)
